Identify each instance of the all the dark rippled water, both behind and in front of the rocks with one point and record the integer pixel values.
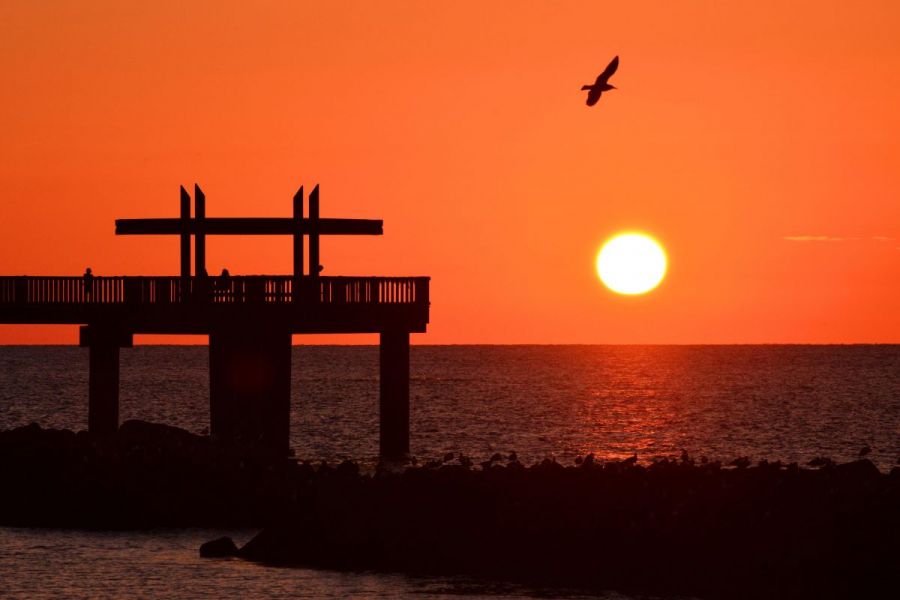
(782, 402)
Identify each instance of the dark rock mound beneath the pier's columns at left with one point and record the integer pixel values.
(145, 475)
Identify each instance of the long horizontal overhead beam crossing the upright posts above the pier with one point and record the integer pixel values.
(248, 226)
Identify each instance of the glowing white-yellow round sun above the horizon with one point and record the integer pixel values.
(631, 263)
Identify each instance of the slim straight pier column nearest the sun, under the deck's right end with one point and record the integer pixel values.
(394, 401)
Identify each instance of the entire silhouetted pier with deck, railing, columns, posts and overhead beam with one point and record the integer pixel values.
(249, 320)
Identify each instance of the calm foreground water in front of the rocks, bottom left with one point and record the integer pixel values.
(37, 564)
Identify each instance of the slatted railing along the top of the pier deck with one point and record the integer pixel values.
(254, 289)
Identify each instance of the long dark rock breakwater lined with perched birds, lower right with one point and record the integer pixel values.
(673, 527)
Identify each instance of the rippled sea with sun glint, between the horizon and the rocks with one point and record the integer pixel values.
(788, 403)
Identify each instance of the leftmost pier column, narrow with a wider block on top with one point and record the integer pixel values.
(103, 376)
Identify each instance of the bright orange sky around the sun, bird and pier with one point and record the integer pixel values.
(736, 126)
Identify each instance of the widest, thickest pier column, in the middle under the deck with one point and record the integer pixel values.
(250, 387)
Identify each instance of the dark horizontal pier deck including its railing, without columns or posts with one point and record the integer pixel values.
(197, 305)
